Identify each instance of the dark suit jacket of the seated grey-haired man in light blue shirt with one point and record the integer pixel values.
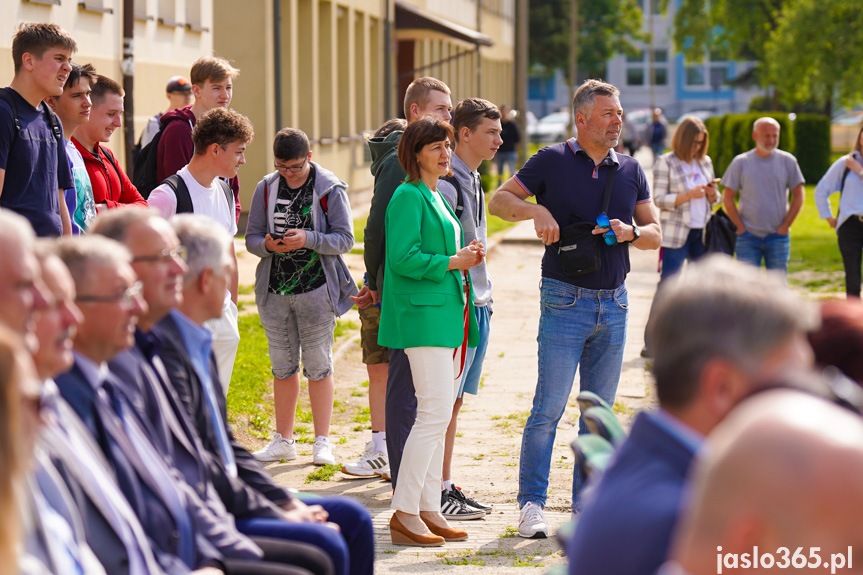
(256, 480)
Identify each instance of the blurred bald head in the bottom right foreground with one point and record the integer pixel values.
(785, 469)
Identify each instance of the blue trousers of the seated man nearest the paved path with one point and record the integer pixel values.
(352, 550)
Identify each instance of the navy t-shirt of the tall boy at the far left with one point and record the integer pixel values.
(36, 166)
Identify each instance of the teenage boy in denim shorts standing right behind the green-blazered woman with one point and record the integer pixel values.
(477, 133)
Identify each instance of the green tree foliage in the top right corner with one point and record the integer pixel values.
(807, 50)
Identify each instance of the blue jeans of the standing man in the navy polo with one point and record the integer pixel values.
(576, 326)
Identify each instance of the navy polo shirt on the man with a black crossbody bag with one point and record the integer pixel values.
(565, 180)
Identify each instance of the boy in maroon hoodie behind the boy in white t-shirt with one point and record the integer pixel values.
(212, 84)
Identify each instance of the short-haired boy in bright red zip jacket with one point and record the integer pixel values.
(111, 186)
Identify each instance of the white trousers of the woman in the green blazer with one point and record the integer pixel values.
(419, 485)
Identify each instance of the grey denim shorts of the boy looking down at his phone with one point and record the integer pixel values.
(297, 324)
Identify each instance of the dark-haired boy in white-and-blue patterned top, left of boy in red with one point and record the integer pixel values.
(73, 110)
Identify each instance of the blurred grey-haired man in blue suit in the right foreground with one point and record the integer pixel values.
(720, 330)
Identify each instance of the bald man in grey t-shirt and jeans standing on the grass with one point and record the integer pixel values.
(763, 177)
